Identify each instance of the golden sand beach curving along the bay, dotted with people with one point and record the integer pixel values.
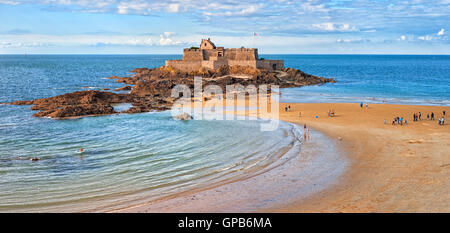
(401, 168)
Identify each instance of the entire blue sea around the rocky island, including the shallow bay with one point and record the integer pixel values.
(135, 158)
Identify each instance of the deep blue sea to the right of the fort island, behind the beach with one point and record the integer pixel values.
(394, 79)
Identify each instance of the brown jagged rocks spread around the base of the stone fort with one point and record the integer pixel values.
(152, 89)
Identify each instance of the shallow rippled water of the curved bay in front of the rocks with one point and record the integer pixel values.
(127, 158)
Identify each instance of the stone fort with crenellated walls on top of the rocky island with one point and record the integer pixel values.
(211, 57)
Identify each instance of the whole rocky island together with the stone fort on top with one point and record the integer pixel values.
(150, 89)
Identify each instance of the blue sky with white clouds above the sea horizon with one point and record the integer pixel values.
(167, 26)
